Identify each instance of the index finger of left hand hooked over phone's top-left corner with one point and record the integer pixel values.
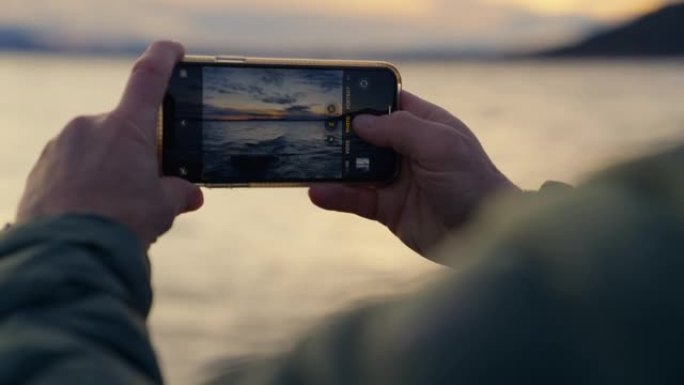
(148, 81)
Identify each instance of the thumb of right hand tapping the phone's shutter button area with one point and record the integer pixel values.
(403, 131)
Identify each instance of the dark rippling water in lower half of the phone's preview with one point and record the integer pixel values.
(271, 151)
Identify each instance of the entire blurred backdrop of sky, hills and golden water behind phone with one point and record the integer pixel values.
(554, 89)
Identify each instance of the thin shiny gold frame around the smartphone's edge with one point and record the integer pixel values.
(265, 61)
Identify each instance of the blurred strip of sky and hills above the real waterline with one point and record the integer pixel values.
(401, 29)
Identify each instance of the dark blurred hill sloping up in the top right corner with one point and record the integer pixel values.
(660, 33)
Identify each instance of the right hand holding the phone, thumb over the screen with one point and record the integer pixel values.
(445, 175)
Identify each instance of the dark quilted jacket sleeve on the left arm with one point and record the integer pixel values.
(74, 296)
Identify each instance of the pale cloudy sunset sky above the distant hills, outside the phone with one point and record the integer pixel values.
(234, 25)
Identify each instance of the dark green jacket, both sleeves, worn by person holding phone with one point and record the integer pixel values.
(581, 286)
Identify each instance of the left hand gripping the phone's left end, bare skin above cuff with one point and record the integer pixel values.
(106, 165)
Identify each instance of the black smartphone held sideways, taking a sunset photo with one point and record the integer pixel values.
(233, 121)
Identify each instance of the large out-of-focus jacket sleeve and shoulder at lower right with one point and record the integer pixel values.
(566, 287)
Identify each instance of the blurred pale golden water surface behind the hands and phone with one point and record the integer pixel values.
(256, 268)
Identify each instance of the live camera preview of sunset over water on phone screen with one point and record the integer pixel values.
(271, 124)
